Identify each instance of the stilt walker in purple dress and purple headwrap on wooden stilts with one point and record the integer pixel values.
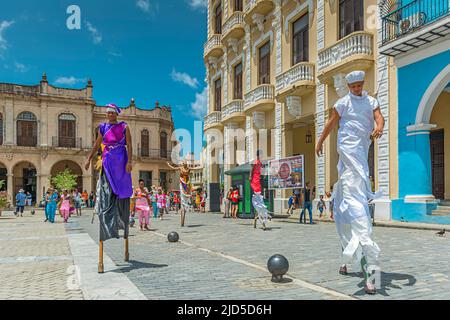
(114, 187)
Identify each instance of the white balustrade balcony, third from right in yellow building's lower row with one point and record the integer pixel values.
(262, 98)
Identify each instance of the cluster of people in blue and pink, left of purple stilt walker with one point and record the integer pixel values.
(67, 202)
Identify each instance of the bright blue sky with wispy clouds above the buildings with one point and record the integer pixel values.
(149, 50)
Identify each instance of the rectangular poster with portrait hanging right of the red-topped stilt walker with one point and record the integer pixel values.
(287, 173)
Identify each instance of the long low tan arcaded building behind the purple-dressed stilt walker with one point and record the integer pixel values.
(45, 130)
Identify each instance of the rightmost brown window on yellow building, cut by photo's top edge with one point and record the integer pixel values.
(351, 17)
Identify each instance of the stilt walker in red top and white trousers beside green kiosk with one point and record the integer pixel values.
(257, 199)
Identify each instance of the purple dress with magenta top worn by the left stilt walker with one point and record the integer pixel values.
(115, 158)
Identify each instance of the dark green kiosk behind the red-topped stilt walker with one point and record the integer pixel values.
(240, 177)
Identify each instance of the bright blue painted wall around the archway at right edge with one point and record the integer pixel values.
(414, 151)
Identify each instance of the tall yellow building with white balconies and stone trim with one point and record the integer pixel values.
(289, 59)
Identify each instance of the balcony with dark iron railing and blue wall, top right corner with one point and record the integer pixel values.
(406, 26)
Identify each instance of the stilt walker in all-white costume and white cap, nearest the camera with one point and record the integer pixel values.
(356, 114)
